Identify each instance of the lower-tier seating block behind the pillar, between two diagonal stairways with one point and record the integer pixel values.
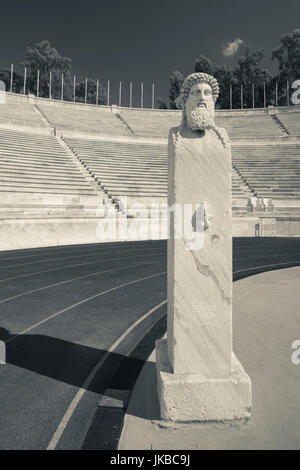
(136, 170)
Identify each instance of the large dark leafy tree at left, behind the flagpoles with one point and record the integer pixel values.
(45, 58)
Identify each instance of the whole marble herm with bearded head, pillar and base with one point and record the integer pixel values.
(199, 377)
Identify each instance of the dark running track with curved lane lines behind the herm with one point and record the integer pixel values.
(69, 317)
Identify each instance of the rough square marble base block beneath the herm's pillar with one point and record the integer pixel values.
(192, 397)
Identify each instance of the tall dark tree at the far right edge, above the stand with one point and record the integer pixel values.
(287, 55)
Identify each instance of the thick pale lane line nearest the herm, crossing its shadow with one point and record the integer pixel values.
(74, 403)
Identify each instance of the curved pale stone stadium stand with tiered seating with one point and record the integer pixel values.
(61, 161)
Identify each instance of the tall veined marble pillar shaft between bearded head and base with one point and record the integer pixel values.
(200, 279)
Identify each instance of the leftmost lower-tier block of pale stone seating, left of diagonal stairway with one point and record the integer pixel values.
(39, 178)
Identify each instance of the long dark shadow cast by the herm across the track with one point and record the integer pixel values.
(71, 363)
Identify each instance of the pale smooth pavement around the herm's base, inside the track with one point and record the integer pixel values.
(265, 323)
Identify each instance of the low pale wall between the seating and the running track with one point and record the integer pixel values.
(20, 234)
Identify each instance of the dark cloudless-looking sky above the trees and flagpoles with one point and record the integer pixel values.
(143, 40)
